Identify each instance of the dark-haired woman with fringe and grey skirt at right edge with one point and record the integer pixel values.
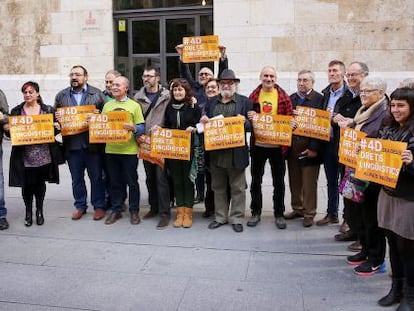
(396, 205)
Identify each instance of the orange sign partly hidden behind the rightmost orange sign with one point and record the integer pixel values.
(349, 146)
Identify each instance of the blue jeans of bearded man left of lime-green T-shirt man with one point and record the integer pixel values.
(78, 161)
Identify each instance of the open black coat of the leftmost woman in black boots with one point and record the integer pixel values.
(16, 172)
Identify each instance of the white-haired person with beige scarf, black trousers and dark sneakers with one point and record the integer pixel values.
(362, 216)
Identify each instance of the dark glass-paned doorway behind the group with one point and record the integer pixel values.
(149, 39)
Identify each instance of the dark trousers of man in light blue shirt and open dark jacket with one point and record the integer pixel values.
(331, 166)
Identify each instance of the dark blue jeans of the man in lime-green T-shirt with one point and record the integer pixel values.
(122, 170)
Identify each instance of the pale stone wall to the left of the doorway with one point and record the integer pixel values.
(42, 40)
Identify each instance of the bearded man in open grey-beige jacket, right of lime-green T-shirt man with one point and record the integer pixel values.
(154, 98)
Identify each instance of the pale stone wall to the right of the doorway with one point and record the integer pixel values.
(307, 34)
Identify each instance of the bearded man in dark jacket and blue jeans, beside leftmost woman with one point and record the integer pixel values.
(79, 153)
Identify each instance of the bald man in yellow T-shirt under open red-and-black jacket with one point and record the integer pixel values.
(268, 98)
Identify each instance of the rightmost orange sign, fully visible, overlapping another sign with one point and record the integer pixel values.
(380, 161)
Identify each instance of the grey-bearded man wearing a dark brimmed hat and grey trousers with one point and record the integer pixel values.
(228, 165)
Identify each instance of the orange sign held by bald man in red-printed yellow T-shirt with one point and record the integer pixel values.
(272, 129)
